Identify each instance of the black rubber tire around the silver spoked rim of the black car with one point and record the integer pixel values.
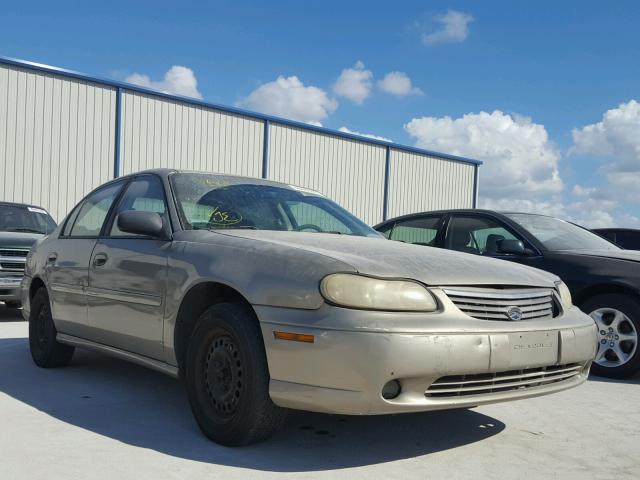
(630, 307)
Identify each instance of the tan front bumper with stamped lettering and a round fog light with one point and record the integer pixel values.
(344, 371)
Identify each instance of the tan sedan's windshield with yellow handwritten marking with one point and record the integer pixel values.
(217, 202)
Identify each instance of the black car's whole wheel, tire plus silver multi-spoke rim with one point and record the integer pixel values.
(618, 319)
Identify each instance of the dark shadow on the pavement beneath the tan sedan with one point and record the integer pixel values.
(143, 408)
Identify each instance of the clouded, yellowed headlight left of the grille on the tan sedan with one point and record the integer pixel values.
(357, 291)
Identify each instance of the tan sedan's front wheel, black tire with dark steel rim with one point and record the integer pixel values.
(227, 377)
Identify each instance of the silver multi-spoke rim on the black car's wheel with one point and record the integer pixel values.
(617, 337)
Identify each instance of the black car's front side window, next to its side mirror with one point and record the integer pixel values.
(478, 235)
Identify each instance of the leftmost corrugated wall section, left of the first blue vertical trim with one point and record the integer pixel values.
(56, 138)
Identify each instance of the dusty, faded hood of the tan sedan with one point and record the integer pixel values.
(386, 258)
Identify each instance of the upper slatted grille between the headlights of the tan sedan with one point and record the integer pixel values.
(490, 304)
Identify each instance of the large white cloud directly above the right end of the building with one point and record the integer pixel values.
(519, 159)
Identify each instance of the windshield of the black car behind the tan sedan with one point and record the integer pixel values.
(557, 235)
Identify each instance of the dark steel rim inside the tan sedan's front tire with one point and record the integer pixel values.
(223, 375)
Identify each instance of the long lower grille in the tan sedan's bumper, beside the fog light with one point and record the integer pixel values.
(480, 384)
